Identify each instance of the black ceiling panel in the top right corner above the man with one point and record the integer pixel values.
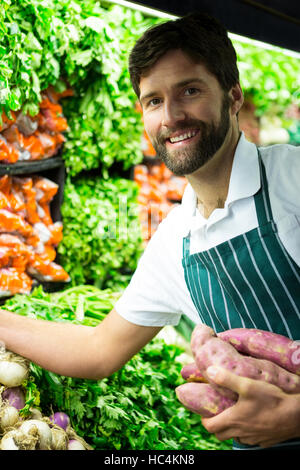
(275, 22)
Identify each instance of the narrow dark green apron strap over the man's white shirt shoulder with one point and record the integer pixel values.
(261, 198)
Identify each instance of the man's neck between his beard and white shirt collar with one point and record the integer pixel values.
(211, 182)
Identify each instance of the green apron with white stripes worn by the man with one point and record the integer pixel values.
(249, 281)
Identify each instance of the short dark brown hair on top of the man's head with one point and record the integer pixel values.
(200, 36)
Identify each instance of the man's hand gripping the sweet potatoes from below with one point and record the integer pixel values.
(264, 415)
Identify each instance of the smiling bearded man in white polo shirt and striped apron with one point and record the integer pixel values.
(228, 256)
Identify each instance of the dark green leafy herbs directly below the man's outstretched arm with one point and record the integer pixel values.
(136, 408)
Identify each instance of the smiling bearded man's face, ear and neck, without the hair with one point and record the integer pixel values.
(192, 122)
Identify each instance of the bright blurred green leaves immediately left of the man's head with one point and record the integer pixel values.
(104, 124)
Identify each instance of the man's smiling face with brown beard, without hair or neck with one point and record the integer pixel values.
(185, 111)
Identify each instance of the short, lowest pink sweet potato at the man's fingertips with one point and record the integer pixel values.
(203, 399)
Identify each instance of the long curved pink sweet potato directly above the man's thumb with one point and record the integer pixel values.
(208, 349)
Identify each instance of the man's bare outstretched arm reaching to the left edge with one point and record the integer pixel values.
(75, 350)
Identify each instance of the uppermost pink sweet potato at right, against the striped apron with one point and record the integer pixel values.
(265, 345)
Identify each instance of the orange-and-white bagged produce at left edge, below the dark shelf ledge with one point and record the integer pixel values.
(28, 234)
